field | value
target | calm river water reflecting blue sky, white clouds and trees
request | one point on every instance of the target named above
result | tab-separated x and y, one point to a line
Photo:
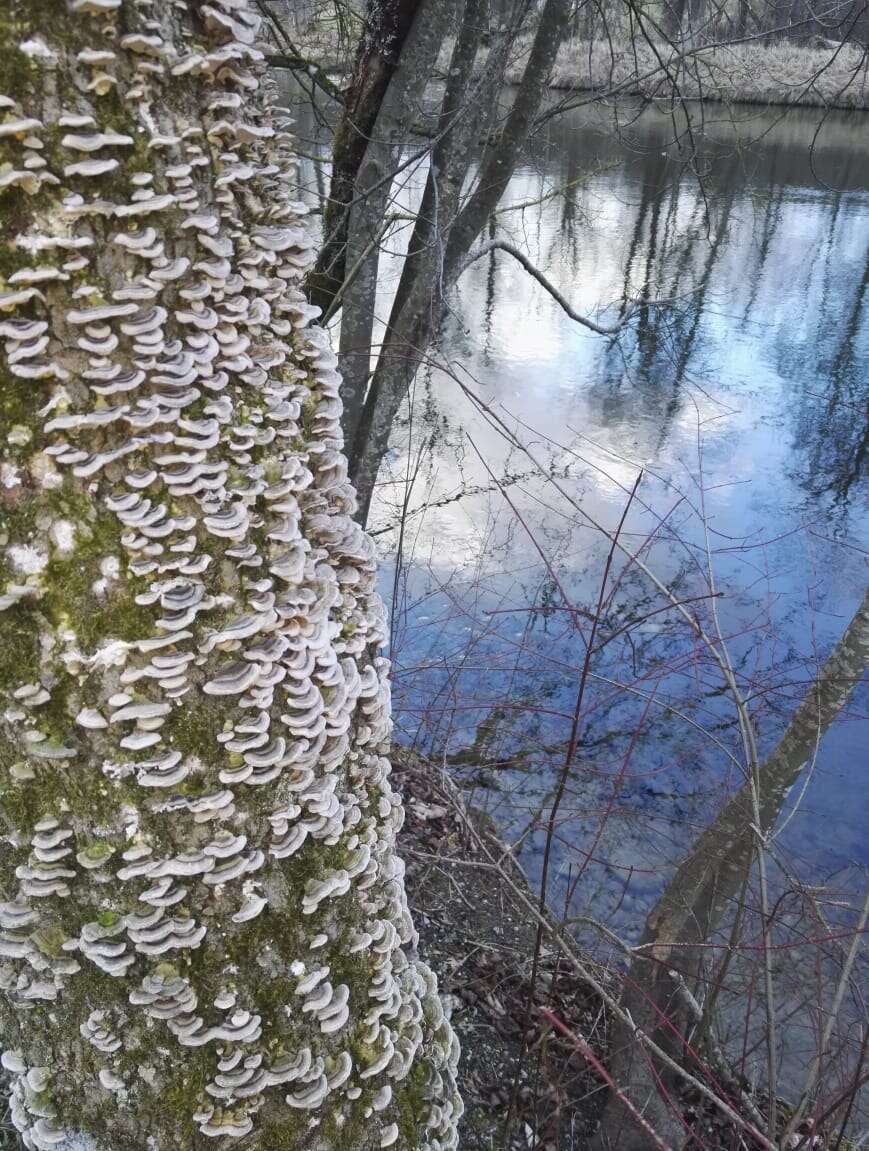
744	401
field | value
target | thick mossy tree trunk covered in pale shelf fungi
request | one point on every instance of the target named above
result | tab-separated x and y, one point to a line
204	934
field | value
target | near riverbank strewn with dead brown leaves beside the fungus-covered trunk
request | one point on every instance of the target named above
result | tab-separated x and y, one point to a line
468	903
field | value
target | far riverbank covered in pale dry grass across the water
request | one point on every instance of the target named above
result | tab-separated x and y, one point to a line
780	74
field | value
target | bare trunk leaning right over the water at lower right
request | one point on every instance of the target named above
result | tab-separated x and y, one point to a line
706	886
